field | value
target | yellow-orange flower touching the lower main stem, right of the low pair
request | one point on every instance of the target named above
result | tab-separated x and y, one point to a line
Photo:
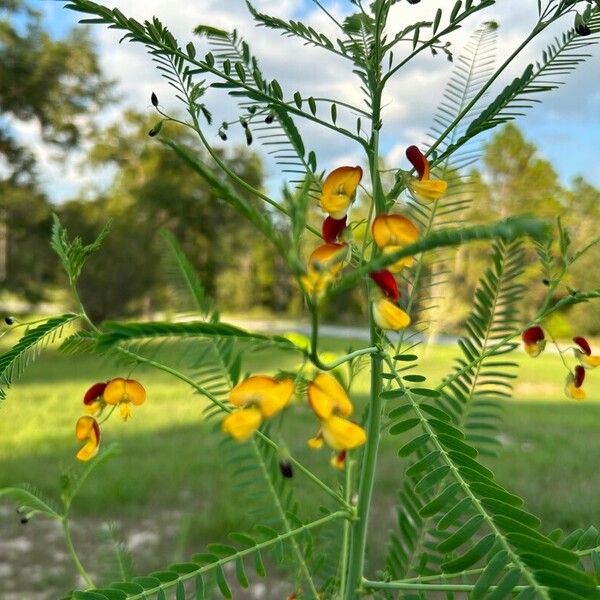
331	404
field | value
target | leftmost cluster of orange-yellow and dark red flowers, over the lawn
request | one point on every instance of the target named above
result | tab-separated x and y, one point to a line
116	392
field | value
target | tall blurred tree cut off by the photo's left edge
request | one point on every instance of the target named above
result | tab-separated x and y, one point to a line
54	84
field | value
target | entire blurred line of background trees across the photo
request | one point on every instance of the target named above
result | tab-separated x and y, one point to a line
57	83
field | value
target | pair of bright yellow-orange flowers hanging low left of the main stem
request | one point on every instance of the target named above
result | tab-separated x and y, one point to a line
261	397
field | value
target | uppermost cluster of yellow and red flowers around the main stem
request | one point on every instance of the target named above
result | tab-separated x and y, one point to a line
391	233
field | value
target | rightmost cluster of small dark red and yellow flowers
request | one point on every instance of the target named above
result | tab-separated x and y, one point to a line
534	343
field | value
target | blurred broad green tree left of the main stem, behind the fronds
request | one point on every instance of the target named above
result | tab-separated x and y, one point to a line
153	190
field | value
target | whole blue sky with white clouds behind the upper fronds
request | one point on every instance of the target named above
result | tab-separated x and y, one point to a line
565	127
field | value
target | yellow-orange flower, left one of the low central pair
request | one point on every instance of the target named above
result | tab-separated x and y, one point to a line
256	398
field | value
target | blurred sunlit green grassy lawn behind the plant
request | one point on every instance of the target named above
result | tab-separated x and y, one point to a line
171	491
